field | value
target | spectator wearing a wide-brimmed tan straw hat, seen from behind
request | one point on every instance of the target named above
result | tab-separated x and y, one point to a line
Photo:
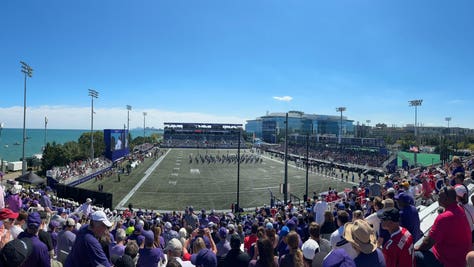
362	238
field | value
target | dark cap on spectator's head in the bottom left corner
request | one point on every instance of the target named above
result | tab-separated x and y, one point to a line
15	252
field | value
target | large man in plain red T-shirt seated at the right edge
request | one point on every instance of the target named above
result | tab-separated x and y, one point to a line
449	239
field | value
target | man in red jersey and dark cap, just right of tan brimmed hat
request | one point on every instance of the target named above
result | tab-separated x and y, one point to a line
398	250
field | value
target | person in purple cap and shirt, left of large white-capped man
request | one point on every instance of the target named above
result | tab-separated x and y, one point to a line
40	255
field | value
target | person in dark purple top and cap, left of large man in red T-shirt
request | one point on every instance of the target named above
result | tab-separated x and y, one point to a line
409	217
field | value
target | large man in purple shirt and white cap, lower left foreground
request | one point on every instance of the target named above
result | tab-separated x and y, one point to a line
87	251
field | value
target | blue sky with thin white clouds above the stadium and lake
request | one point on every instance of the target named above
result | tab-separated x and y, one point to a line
230	61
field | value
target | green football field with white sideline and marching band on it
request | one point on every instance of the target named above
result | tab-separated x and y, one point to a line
171	182
